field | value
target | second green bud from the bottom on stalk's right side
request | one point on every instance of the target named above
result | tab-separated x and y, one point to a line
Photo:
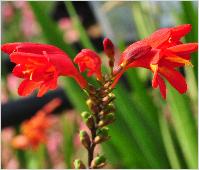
102	135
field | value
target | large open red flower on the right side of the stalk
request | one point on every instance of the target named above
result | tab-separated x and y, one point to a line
167	53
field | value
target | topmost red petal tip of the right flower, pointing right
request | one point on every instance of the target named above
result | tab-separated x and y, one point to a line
180	31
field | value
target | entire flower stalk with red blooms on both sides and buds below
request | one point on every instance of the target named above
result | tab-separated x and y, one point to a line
40	66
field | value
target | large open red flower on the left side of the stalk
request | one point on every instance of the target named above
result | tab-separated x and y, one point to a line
40	65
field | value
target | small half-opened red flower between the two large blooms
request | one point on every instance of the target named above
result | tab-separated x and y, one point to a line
88	59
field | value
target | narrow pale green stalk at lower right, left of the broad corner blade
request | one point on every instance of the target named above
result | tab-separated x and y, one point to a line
169	145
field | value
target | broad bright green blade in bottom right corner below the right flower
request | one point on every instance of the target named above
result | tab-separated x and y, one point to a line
184	125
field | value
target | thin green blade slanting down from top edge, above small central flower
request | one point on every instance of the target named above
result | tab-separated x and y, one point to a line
84	39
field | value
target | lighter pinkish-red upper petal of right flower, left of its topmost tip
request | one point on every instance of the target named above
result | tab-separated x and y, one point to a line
159	37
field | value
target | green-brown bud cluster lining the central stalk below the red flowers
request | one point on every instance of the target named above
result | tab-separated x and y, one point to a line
101	114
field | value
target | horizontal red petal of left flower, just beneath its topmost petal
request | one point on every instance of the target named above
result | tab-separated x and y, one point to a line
27	58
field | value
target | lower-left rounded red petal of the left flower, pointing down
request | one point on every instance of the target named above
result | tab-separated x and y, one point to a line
27	87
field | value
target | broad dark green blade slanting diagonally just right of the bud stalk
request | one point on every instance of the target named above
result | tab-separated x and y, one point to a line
141	132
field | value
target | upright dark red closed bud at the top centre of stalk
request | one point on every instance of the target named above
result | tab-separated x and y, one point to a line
108	48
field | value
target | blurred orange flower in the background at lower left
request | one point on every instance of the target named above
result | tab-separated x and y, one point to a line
34	131
